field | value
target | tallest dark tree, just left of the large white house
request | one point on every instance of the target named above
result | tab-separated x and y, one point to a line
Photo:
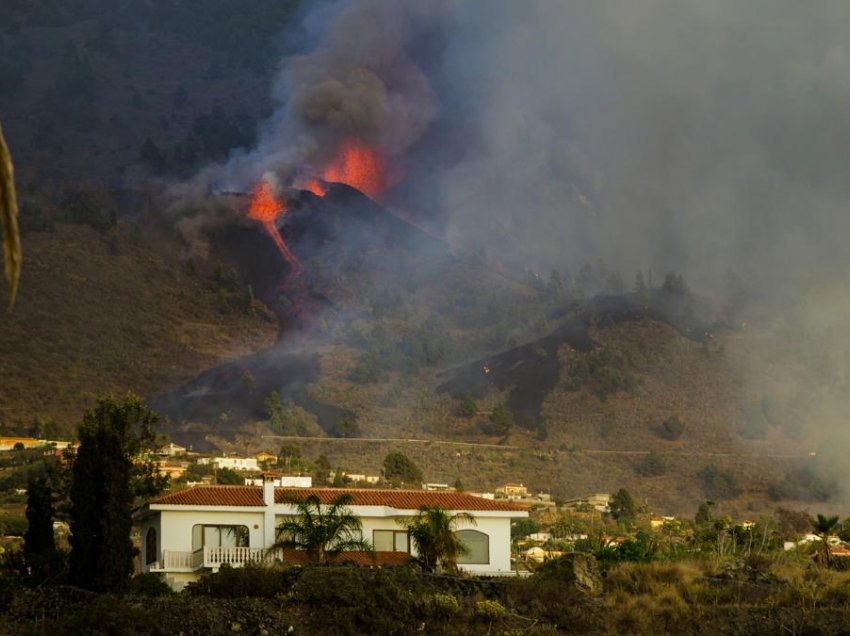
108	474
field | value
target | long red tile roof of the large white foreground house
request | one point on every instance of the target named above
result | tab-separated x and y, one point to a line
400	499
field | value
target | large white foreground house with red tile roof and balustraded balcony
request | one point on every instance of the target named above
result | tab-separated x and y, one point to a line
192	531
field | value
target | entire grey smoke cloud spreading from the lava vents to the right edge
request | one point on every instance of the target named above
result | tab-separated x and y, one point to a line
710	138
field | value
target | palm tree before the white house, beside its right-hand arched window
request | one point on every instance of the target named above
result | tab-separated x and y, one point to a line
432	531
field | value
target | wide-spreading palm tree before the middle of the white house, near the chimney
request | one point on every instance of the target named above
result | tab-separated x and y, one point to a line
323	531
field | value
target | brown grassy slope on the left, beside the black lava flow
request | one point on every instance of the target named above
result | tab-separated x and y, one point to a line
97	315
